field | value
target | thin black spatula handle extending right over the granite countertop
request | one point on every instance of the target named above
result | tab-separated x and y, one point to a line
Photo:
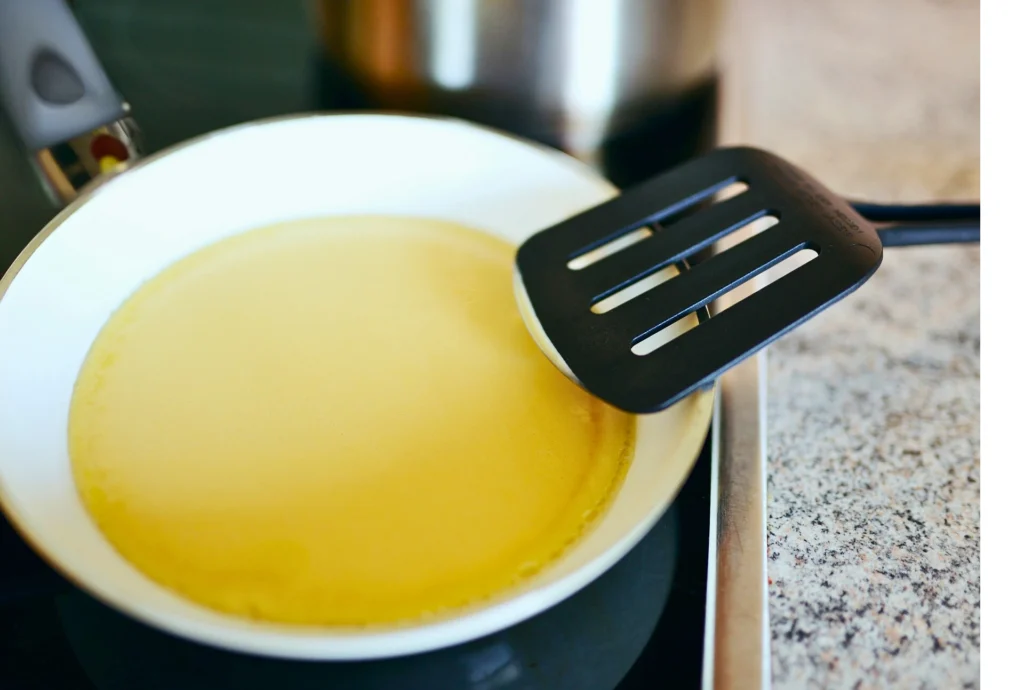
906	226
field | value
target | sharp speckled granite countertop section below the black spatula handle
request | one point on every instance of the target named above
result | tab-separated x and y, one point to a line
874	484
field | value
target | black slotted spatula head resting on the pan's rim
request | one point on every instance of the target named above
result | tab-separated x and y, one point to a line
680	206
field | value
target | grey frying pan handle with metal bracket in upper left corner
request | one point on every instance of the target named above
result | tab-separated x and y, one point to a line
64	109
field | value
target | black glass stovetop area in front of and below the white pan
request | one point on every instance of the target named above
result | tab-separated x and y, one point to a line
639	627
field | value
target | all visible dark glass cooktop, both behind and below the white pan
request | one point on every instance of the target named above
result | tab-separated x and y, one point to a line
189	67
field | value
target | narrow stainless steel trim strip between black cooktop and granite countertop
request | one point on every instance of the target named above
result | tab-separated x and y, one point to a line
742	638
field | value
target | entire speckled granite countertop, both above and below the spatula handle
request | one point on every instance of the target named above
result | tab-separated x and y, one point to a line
874	408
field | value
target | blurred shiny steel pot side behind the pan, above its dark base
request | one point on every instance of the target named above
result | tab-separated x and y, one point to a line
573	73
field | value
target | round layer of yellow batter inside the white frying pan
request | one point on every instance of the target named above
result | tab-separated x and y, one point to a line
338	421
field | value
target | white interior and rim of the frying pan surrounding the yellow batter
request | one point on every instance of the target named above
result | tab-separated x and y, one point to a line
118	234
